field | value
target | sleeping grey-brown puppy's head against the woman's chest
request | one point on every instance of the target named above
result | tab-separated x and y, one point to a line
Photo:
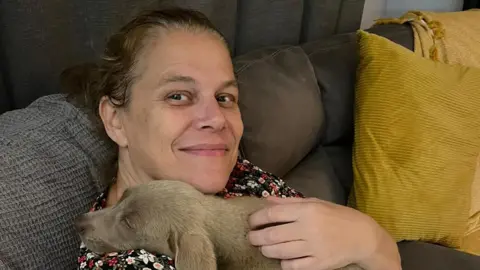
149	216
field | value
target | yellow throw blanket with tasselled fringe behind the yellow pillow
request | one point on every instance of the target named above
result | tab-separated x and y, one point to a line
452	38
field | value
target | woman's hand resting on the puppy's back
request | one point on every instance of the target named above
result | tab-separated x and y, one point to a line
318	235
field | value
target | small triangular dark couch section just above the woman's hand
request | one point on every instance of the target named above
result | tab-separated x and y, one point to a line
314	176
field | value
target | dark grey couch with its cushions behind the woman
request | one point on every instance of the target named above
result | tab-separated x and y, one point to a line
296	61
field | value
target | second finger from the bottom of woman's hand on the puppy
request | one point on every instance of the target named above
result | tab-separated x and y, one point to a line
275	235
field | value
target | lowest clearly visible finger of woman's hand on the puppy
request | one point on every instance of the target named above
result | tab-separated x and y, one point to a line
286	250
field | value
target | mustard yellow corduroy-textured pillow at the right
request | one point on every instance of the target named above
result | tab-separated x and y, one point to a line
417	139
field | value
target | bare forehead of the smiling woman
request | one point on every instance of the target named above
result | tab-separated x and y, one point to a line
187	58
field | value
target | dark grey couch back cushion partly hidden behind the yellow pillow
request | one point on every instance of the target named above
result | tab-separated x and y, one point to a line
334	61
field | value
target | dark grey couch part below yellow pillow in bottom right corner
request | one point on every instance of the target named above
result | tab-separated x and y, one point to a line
424	256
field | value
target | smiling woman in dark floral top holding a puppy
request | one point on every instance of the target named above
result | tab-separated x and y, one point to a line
165	94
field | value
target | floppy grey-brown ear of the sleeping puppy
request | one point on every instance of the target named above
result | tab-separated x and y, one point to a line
194	251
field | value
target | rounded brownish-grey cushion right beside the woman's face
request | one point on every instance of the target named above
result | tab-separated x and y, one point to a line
281	107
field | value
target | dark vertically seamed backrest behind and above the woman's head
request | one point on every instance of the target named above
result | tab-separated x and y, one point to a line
38	39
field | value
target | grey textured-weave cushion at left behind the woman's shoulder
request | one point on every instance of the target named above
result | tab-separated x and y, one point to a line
47	156
